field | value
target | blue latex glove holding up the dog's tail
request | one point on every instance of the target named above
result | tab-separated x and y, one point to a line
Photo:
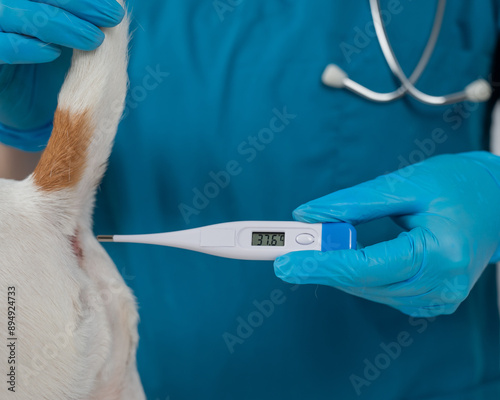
33	34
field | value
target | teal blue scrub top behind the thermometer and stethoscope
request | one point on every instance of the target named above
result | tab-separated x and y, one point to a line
227	120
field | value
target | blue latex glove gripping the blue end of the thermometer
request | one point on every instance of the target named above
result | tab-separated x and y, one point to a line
450	206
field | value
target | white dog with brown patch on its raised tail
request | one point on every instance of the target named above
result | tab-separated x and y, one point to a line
69	322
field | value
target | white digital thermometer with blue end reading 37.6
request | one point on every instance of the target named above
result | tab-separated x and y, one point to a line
251	240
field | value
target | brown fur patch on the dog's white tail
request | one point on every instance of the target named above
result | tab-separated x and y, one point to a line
63	161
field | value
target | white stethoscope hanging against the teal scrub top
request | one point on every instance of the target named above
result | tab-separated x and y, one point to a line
334	76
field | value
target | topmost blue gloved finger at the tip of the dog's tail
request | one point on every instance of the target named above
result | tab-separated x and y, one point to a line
103	13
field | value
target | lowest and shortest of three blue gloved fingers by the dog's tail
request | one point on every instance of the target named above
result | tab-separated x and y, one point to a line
18	49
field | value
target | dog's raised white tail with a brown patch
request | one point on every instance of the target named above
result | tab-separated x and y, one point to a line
89	109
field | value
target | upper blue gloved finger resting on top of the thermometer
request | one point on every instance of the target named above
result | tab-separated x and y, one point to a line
361	203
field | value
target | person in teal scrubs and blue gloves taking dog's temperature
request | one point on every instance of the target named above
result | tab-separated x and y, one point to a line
226	120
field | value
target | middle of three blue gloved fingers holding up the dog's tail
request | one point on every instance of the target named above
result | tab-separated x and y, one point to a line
49	24
